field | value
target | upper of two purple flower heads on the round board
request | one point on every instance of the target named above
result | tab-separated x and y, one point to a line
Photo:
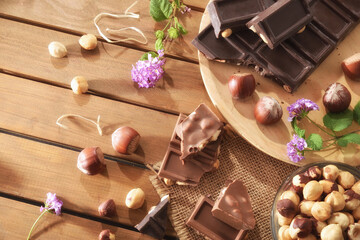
301	108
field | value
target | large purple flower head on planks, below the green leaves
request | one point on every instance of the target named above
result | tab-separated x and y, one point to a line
148	72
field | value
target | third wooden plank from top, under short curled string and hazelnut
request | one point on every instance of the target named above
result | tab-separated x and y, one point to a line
32	108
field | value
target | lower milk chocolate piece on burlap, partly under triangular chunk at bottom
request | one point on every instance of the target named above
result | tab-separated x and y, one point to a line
202	221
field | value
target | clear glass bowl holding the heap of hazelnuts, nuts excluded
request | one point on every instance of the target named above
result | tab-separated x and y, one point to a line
286	184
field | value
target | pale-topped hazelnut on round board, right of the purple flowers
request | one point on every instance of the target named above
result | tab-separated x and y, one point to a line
337	98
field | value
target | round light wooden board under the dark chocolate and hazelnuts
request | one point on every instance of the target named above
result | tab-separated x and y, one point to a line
273	139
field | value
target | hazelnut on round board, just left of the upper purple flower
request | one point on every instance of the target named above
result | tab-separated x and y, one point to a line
268	110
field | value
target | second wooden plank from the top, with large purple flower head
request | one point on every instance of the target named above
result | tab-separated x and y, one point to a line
108	69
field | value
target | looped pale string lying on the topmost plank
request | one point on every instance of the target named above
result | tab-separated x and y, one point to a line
116	31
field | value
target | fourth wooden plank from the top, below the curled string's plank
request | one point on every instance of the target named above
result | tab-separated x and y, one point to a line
30	169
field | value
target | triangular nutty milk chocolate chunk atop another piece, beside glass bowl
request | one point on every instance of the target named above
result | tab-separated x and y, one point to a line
233	207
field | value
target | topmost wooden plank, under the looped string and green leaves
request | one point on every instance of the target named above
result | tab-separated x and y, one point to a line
78	16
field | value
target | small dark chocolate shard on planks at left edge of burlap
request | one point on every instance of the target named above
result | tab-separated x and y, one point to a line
154	223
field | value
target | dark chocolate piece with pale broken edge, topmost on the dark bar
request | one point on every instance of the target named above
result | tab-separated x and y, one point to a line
280	21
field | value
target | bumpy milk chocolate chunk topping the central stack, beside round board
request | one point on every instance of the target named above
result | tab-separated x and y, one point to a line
199	128
